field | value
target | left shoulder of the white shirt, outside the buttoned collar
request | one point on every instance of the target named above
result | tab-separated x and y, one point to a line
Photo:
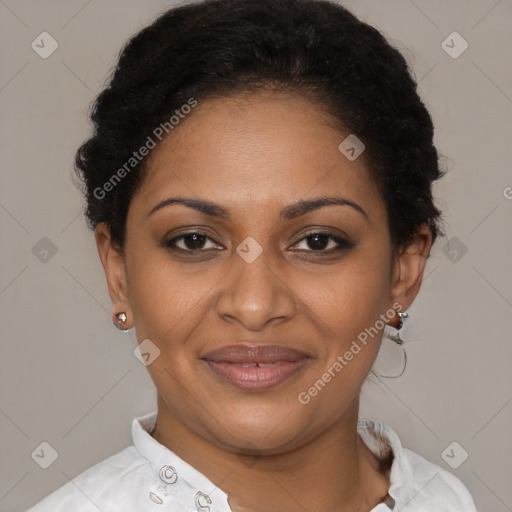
122	475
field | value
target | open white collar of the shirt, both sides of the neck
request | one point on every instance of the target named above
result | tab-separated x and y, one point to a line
175	479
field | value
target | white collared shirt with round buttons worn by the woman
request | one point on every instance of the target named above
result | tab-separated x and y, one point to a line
147	476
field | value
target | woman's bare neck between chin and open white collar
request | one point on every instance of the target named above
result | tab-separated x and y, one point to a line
335	471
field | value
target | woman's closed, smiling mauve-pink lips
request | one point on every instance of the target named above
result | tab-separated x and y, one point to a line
256	367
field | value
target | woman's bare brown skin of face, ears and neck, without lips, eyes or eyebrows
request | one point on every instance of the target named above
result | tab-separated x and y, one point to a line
255	155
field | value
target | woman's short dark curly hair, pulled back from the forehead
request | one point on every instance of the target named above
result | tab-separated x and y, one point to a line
316	48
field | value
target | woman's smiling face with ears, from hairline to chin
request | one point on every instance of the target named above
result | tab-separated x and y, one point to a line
249	258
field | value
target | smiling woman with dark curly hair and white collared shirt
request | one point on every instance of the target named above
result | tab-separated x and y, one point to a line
259	182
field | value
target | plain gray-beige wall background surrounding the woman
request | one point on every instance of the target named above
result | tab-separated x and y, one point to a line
69	378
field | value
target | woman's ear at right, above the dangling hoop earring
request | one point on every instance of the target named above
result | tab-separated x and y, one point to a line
408	268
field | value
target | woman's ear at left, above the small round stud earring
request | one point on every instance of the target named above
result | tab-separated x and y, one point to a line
112	259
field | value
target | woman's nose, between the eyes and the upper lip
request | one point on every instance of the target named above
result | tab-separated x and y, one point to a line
255	294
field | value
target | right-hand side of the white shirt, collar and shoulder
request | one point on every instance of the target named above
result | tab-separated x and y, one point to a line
416	484
